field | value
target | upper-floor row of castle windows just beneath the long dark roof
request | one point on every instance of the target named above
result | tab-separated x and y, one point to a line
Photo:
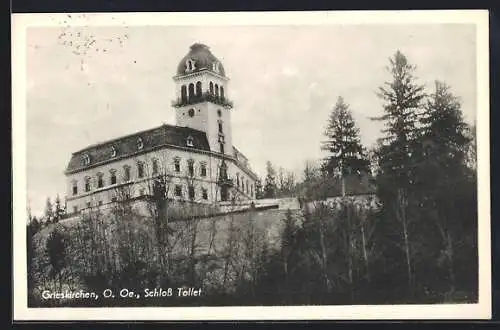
141	172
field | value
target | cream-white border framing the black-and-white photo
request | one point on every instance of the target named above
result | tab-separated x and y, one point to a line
20	23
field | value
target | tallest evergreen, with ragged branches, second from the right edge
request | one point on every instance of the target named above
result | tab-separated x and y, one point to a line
396	154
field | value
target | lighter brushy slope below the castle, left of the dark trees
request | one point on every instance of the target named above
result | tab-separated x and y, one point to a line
103	252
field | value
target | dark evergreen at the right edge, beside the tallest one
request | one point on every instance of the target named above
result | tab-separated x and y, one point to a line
443	177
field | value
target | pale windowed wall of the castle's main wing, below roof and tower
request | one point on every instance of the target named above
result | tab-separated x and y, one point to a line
243	180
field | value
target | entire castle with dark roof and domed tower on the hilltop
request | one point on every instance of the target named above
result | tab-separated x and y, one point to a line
195	159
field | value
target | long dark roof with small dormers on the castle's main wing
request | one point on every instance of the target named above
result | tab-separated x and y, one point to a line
126	146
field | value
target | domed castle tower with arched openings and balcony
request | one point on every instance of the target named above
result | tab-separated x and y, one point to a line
202	99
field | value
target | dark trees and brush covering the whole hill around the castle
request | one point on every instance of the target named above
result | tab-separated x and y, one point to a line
414	241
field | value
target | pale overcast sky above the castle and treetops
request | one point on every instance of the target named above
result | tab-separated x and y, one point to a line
283	82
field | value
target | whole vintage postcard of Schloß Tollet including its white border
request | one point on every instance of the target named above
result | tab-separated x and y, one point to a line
251	166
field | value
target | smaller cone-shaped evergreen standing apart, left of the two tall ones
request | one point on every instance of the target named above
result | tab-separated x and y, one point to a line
347	154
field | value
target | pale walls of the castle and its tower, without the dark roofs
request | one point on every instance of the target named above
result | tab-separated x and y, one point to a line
99	182
